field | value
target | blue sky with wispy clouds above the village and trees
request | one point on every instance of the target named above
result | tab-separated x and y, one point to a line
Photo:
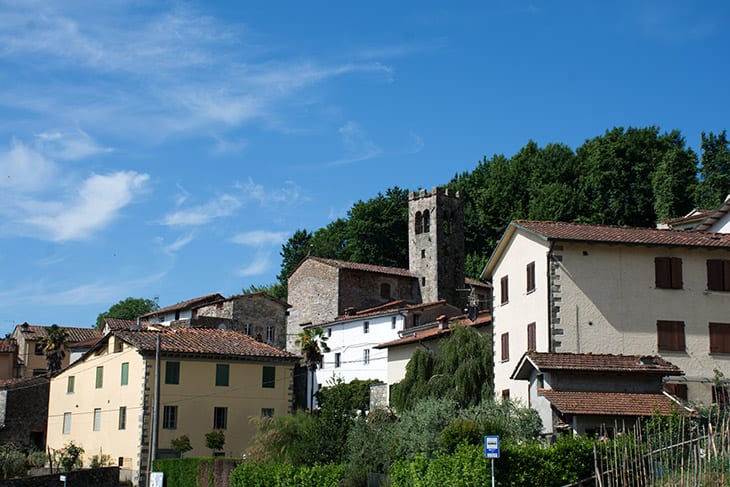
168	149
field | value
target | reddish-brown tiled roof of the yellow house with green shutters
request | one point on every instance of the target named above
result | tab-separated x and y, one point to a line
203	341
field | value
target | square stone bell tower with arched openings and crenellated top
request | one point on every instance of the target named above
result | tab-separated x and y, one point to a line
436	244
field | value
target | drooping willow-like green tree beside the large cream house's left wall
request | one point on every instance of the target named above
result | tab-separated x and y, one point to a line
462	371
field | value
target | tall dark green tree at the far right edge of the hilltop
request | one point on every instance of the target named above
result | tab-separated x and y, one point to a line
714	183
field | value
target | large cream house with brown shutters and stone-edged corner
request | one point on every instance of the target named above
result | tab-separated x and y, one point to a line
563	287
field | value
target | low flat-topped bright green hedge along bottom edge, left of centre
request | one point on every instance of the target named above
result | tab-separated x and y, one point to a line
251	474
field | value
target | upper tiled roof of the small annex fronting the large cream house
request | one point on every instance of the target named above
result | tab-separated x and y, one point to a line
588	362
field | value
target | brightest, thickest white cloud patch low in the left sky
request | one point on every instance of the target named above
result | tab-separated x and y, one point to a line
96	204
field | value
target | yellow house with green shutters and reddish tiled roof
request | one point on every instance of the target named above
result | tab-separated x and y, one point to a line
209	379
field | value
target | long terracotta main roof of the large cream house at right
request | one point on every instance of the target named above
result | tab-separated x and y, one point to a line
626	235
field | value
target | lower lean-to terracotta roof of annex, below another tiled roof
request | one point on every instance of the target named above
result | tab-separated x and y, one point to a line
609	403
